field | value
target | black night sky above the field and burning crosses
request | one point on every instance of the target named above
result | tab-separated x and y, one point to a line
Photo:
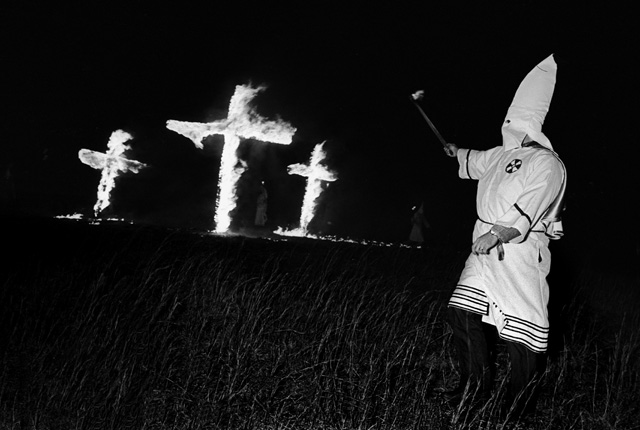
79	71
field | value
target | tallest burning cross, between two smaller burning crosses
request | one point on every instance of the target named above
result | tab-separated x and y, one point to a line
242	122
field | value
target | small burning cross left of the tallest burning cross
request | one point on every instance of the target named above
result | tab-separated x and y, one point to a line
112	163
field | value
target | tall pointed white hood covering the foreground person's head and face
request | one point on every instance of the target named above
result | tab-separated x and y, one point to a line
530	106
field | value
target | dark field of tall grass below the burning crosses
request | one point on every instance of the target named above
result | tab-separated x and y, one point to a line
123	327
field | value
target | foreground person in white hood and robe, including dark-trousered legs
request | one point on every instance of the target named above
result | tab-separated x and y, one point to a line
521	187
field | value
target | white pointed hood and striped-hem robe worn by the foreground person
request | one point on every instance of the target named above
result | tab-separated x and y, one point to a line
520	187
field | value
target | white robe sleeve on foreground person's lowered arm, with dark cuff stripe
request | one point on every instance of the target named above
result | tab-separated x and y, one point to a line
542	186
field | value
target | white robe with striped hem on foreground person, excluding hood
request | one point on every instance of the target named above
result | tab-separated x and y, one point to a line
515	189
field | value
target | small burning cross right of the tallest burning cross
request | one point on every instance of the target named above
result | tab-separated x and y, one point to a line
315	172
